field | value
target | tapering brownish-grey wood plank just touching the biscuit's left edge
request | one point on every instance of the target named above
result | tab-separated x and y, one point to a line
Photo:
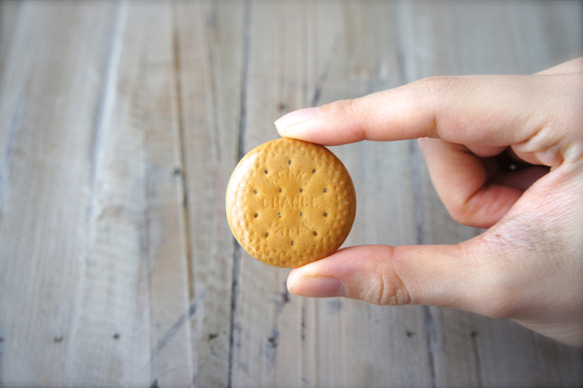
210	48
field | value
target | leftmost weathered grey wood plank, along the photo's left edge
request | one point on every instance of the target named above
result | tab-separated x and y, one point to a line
51	105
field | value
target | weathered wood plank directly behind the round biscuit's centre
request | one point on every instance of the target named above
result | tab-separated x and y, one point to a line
260	345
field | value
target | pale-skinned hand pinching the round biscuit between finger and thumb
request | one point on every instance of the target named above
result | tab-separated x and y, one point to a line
528	265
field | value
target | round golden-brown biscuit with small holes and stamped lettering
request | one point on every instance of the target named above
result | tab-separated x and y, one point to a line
290	202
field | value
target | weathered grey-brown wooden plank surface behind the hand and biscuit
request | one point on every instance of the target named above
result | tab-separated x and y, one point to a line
120	122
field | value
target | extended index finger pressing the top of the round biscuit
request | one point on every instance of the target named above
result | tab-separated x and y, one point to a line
496	110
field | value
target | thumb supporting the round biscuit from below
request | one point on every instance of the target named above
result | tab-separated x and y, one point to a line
439	275
